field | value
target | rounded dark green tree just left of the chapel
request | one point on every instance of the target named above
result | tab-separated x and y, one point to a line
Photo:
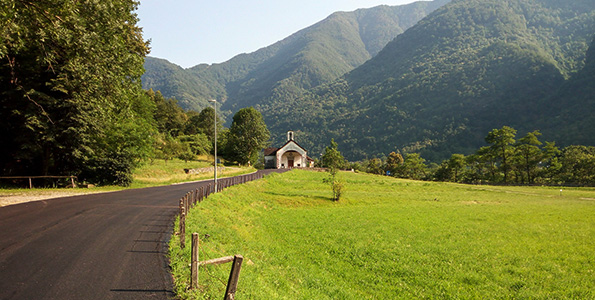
248	135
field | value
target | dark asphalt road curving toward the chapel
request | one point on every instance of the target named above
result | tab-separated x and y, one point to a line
101	246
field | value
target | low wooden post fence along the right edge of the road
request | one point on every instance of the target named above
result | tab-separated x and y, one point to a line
191	199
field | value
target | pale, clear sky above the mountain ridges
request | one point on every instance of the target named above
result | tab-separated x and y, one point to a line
191	32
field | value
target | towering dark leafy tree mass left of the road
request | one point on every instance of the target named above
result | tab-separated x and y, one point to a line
70	89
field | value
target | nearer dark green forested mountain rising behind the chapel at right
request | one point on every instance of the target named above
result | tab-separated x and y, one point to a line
469	67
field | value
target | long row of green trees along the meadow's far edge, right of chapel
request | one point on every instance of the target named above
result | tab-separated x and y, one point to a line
505	160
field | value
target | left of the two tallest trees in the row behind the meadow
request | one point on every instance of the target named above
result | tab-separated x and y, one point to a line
501	141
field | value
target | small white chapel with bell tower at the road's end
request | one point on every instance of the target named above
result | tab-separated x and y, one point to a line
290	155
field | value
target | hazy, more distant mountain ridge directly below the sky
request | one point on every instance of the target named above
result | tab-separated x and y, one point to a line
315	55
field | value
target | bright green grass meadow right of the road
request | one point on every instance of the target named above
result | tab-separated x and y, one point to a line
393	239
